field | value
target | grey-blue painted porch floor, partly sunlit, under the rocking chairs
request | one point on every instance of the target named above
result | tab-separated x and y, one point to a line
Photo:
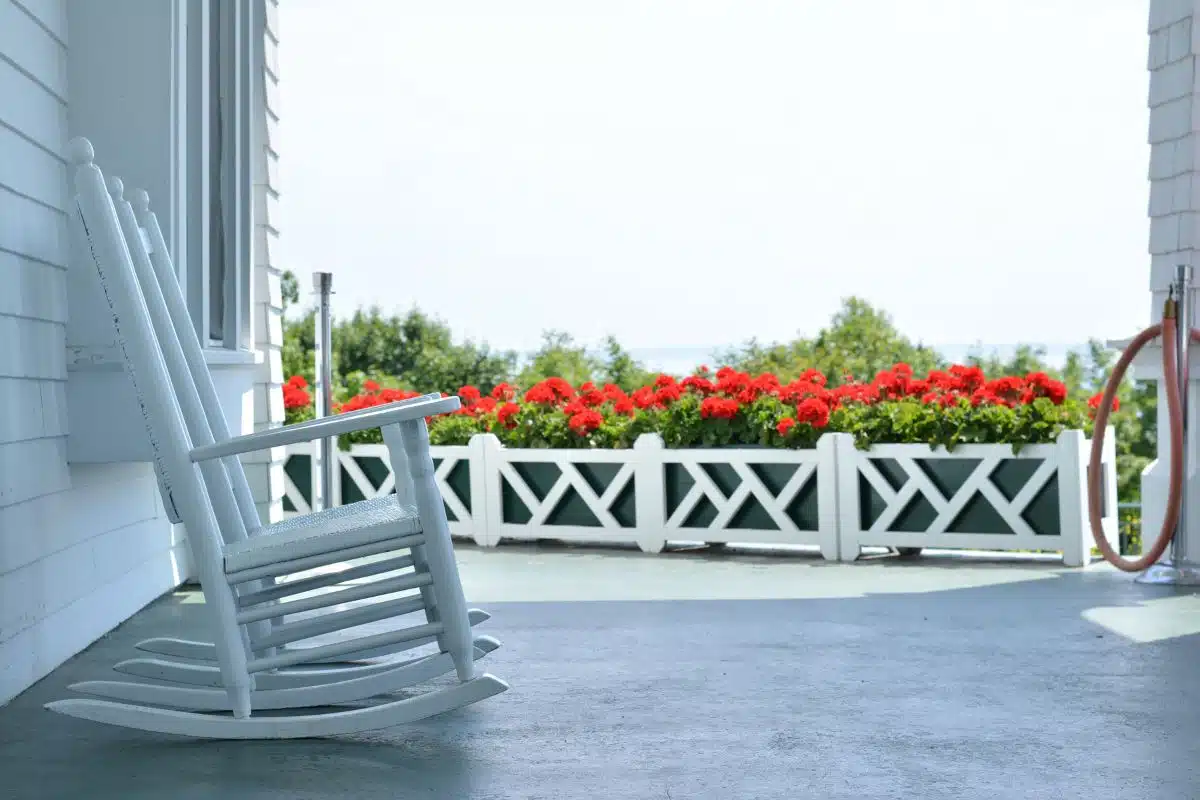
717	676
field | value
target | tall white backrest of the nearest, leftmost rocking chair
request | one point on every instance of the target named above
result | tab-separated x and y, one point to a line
146	364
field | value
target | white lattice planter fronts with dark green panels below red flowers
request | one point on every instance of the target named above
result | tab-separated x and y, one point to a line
835	497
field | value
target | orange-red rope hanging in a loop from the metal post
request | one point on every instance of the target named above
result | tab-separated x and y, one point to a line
1167	329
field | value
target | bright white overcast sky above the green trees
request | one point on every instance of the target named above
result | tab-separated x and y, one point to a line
689	175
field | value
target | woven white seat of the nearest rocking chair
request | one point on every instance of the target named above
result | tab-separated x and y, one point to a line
325	532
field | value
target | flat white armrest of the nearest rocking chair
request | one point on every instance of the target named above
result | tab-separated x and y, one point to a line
327	428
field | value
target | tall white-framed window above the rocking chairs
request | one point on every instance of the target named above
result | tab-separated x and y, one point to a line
218	79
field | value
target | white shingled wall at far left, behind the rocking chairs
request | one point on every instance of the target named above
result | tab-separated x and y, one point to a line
82	549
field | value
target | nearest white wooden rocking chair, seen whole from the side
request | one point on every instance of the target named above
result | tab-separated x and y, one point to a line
205	485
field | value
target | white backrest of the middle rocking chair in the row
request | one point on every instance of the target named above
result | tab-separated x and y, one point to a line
183	380
